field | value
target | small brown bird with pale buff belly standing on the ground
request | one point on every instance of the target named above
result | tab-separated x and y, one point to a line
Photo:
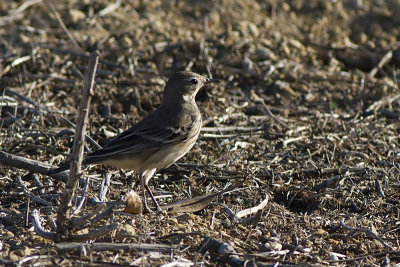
161	138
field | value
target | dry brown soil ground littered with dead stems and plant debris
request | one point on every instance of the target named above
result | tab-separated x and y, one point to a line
306	120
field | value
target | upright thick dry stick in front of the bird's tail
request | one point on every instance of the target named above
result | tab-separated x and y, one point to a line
77	150
